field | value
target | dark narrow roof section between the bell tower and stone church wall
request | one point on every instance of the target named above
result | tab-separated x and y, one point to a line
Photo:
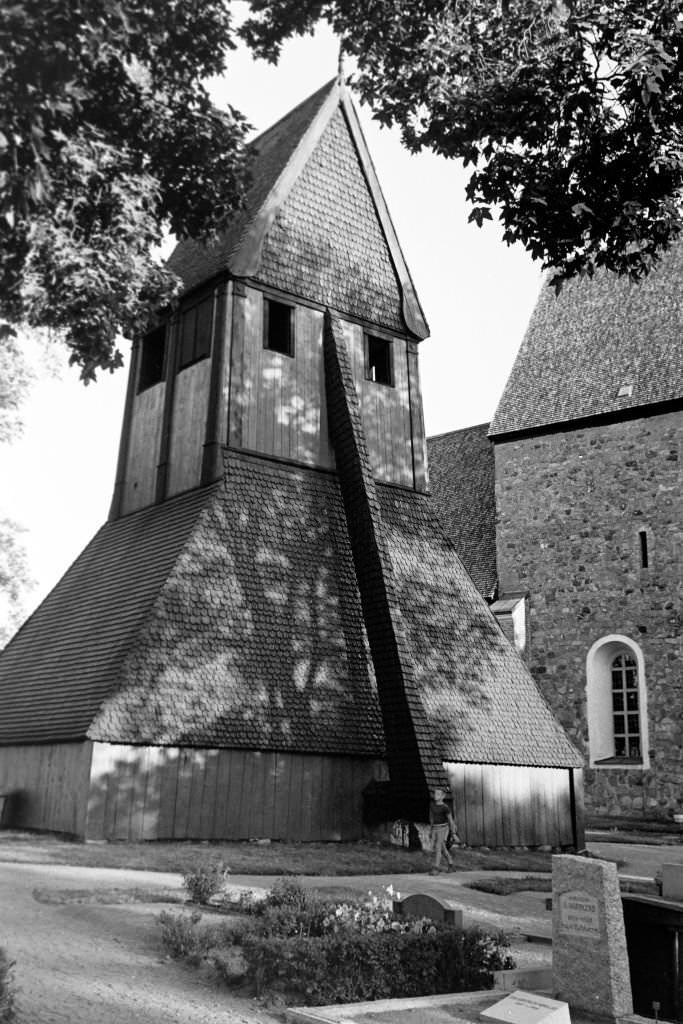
462	482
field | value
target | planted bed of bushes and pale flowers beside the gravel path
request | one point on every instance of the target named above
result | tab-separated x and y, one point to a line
311	951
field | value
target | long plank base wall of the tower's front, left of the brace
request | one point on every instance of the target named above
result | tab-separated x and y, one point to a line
144	793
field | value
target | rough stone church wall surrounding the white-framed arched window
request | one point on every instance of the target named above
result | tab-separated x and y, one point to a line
572	507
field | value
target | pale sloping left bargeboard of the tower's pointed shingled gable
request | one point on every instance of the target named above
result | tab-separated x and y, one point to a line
247	257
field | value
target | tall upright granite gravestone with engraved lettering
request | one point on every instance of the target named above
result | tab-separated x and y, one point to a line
590	960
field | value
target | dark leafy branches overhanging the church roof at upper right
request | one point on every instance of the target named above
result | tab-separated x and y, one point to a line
570	111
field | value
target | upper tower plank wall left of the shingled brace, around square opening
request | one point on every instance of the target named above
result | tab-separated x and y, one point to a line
278	402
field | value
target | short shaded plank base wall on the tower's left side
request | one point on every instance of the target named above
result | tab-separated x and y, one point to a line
49	786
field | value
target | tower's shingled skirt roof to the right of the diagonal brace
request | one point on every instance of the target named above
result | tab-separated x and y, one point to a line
480	700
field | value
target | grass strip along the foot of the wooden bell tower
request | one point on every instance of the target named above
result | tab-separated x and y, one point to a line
255	859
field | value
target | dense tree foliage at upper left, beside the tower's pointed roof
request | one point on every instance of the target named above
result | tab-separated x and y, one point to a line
108	137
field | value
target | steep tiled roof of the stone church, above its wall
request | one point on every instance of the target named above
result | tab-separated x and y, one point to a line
600	335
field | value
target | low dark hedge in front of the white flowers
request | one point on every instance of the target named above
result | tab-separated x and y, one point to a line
349	966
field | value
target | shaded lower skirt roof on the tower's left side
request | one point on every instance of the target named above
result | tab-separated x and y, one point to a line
68	657
